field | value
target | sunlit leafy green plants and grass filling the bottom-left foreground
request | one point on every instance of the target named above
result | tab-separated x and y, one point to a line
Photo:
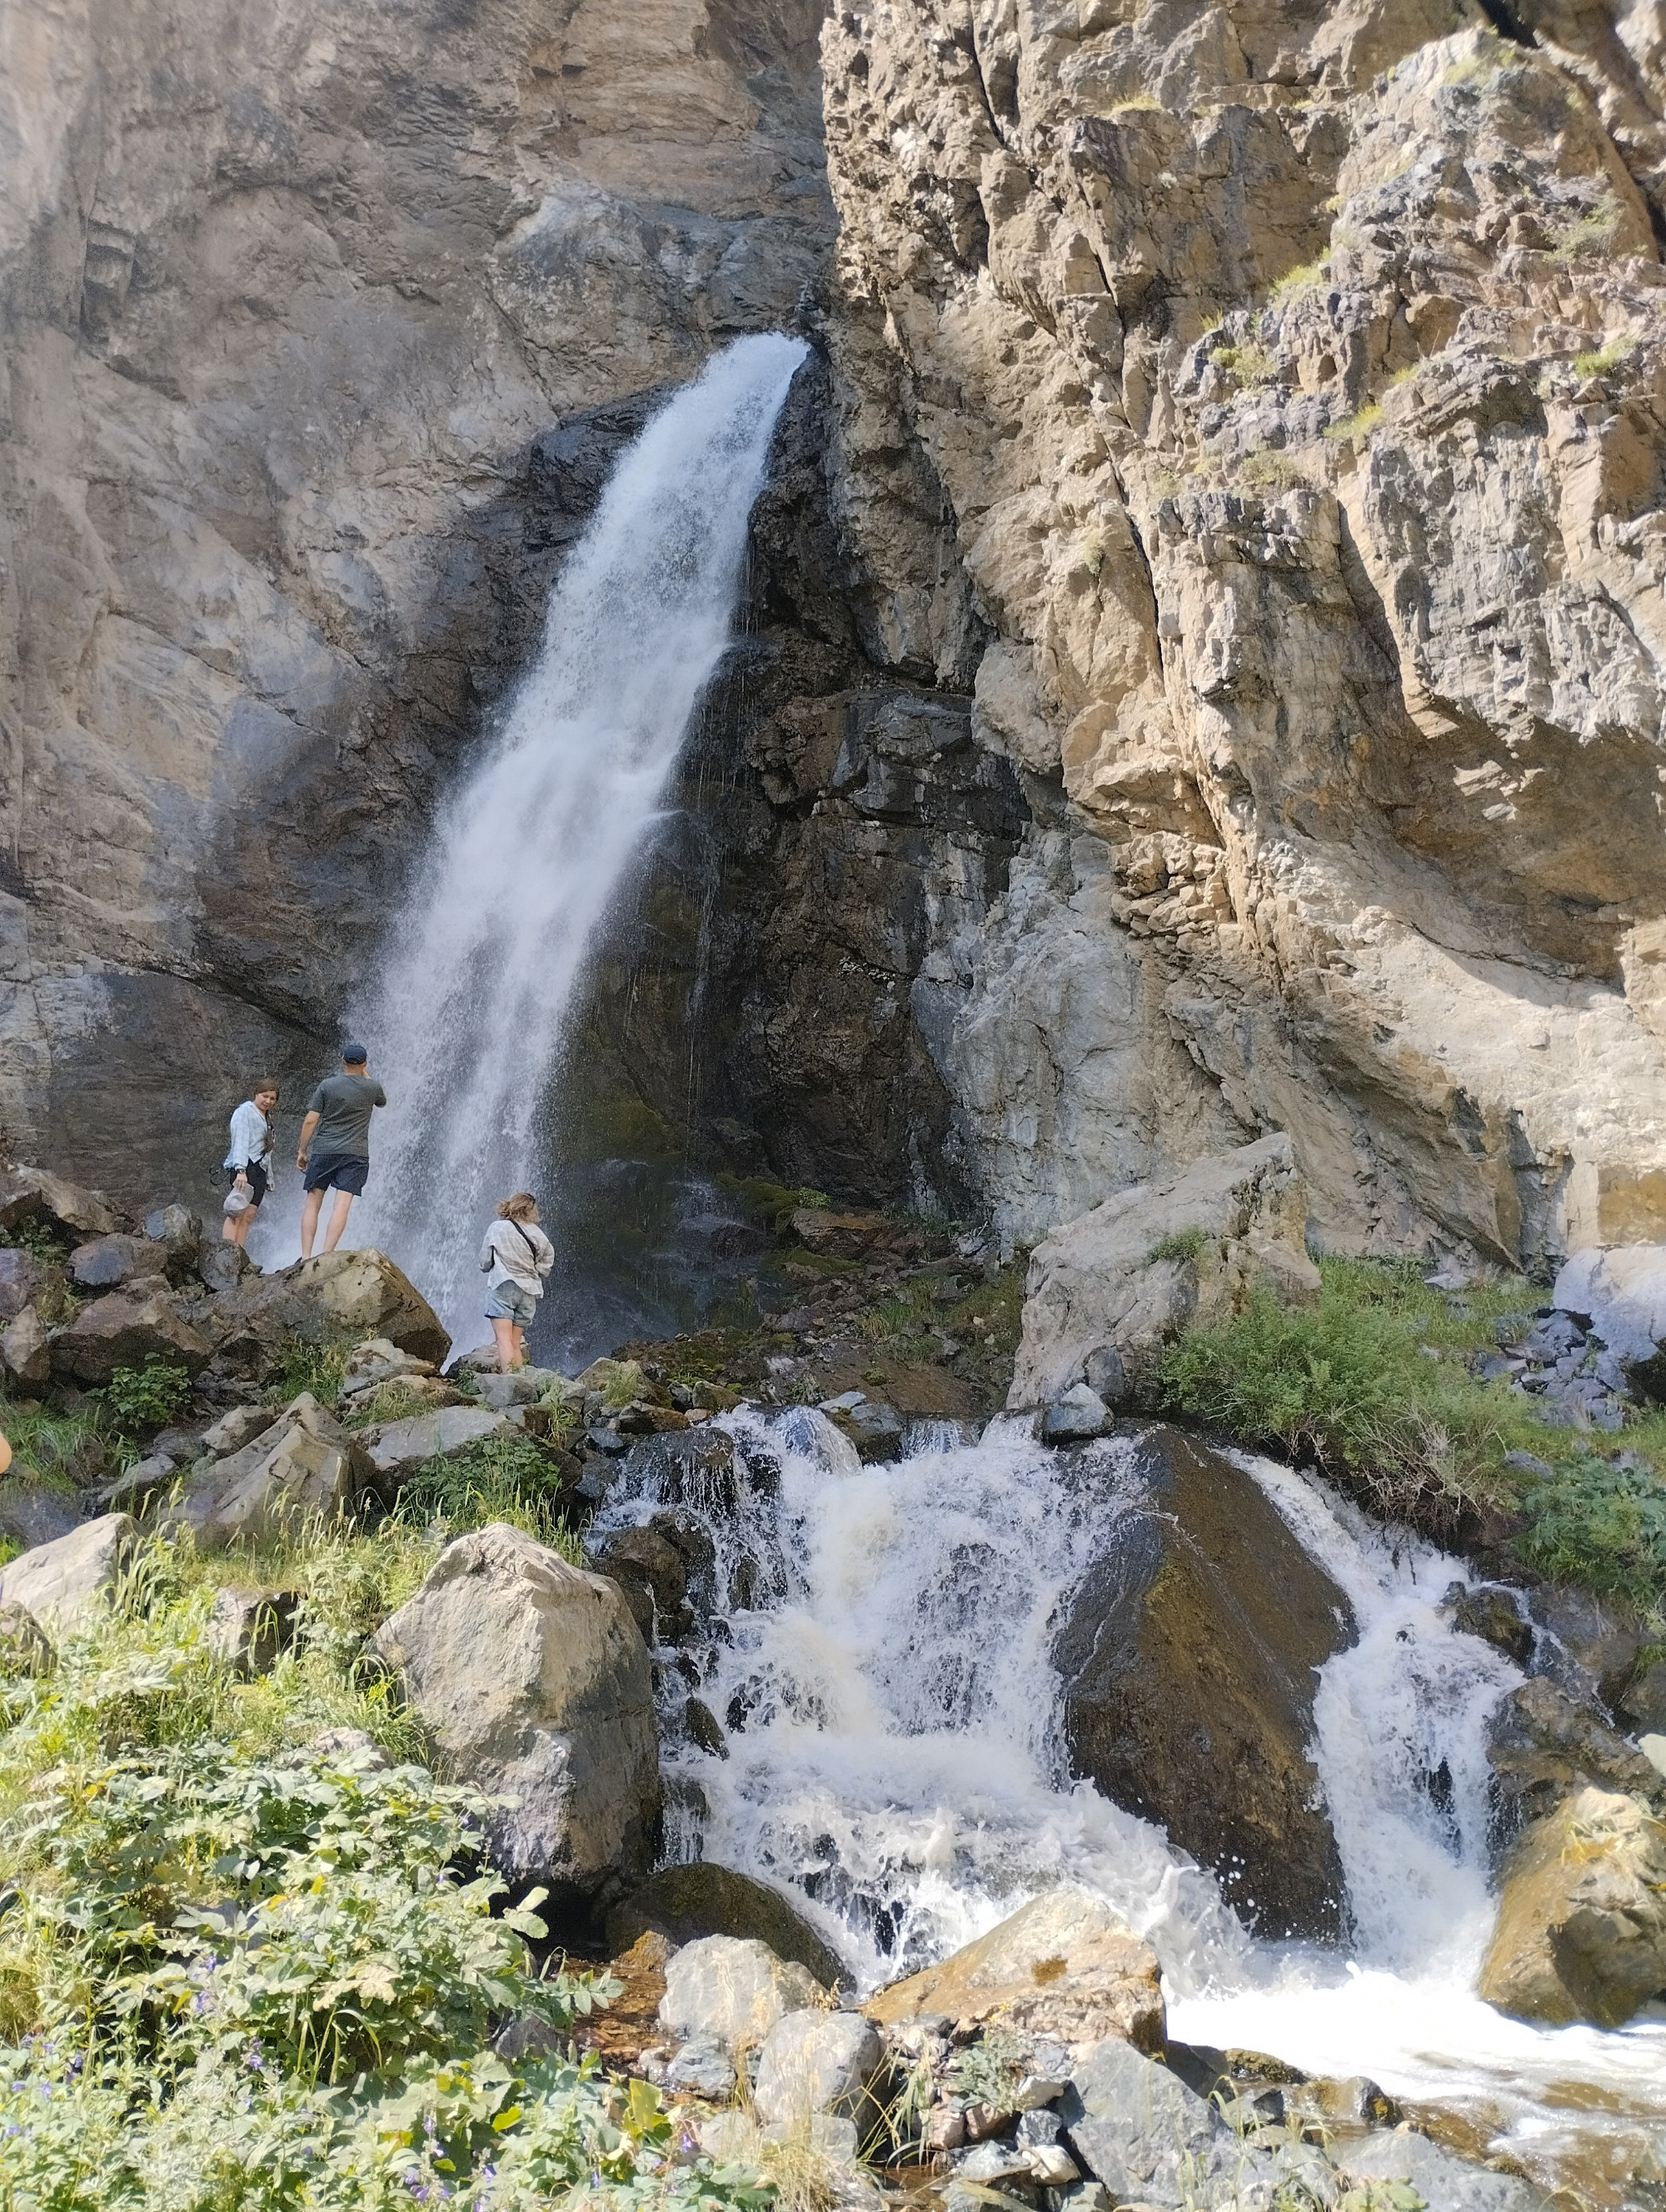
242	1972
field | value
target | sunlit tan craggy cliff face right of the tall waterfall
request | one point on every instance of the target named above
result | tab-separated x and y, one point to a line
1295	379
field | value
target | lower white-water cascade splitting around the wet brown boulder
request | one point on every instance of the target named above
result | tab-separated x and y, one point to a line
897	1762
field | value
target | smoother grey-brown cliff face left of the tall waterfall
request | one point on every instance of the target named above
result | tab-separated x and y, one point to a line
287	295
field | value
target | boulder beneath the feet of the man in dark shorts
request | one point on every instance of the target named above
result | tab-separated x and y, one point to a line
337	1297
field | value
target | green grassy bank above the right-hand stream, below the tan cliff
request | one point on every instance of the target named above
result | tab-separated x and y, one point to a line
1373	1384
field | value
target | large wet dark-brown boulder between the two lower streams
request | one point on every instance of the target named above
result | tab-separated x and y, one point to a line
1189	1665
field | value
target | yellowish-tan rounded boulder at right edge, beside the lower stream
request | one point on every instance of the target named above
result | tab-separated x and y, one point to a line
1583	1914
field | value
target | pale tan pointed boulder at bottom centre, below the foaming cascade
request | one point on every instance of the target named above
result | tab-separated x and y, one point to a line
1063	1968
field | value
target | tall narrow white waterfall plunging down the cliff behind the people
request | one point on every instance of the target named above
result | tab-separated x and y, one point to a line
466	1021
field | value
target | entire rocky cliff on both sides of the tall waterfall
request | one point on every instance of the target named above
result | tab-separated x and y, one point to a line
1227	693
